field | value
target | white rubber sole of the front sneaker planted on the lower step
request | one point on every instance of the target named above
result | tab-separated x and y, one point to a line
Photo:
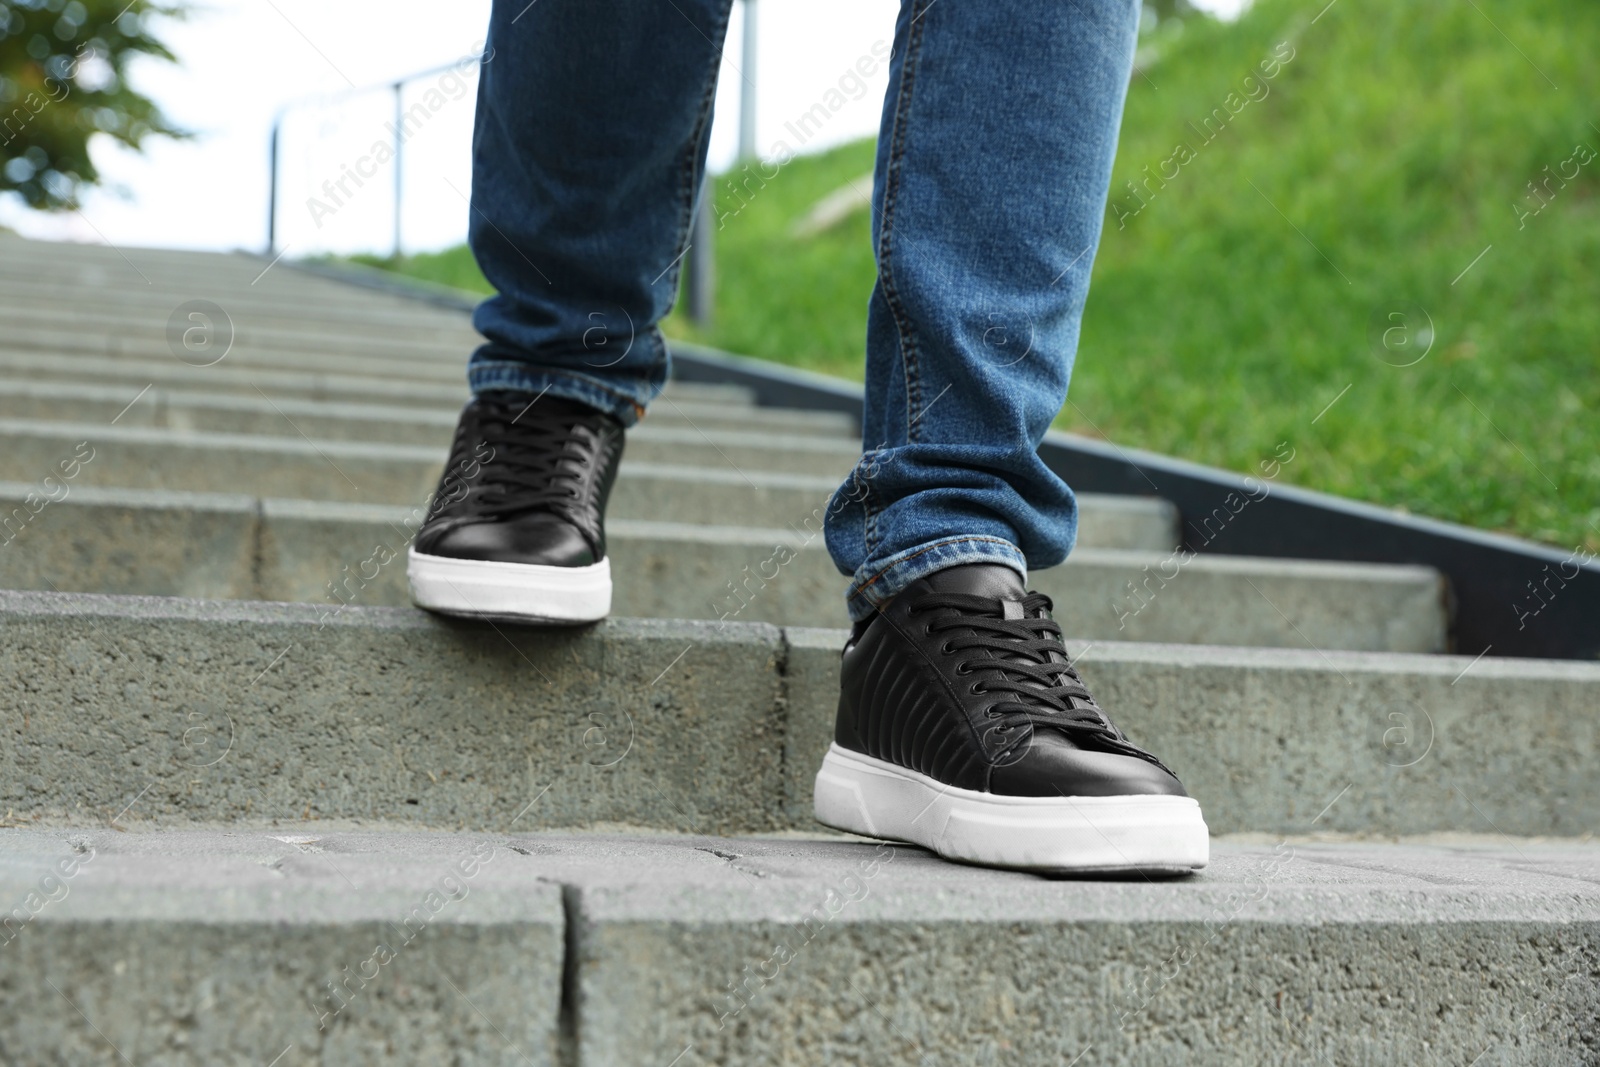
871	797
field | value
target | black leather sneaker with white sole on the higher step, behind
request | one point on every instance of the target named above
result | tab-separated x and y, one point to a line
518	526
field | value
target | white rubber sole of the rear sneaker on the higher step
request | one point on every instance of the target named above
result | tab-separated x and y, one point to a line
521	593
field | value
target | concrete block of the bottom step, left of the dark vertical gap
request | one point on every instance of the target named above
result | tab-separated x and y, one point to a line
254	949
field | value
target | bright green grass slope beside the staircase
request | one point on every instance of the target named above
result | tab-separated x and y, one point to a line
1238	303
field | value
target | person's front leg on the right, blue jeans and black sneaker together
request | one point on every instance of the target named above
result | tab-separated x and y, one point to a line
962	724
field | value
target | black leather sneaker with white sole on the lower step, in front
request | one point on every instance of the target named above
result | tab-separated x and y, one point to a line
964	729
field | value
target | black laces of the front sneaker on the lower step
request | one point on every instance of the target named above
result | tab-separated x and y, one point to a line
1025	663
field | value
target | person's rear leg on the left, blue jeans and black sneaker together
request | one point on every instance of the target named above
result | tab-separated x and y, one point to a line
593	126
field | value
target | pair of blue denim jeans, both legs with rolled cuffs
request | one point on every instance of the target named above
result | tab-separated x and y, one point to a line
994	159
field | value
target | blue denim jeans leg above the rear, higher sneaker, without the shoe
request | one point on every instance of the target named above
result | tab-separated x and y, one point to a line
593	126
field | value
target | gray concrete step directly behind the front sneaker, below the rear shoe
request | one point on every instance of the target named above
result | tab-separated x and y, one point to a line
238	713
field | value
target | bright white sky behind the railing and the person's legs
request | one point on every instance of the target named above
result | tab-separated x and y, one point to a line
244	60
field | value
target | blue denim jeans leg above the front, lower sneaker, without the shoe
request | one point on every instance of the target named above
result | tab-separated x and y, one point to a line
994	161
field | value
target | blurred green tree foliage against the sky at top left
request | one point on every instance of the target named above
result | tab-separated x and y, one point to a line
63	79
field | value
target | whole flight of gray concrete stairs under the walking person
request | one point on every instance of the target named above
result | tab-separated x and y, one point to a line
244	785
